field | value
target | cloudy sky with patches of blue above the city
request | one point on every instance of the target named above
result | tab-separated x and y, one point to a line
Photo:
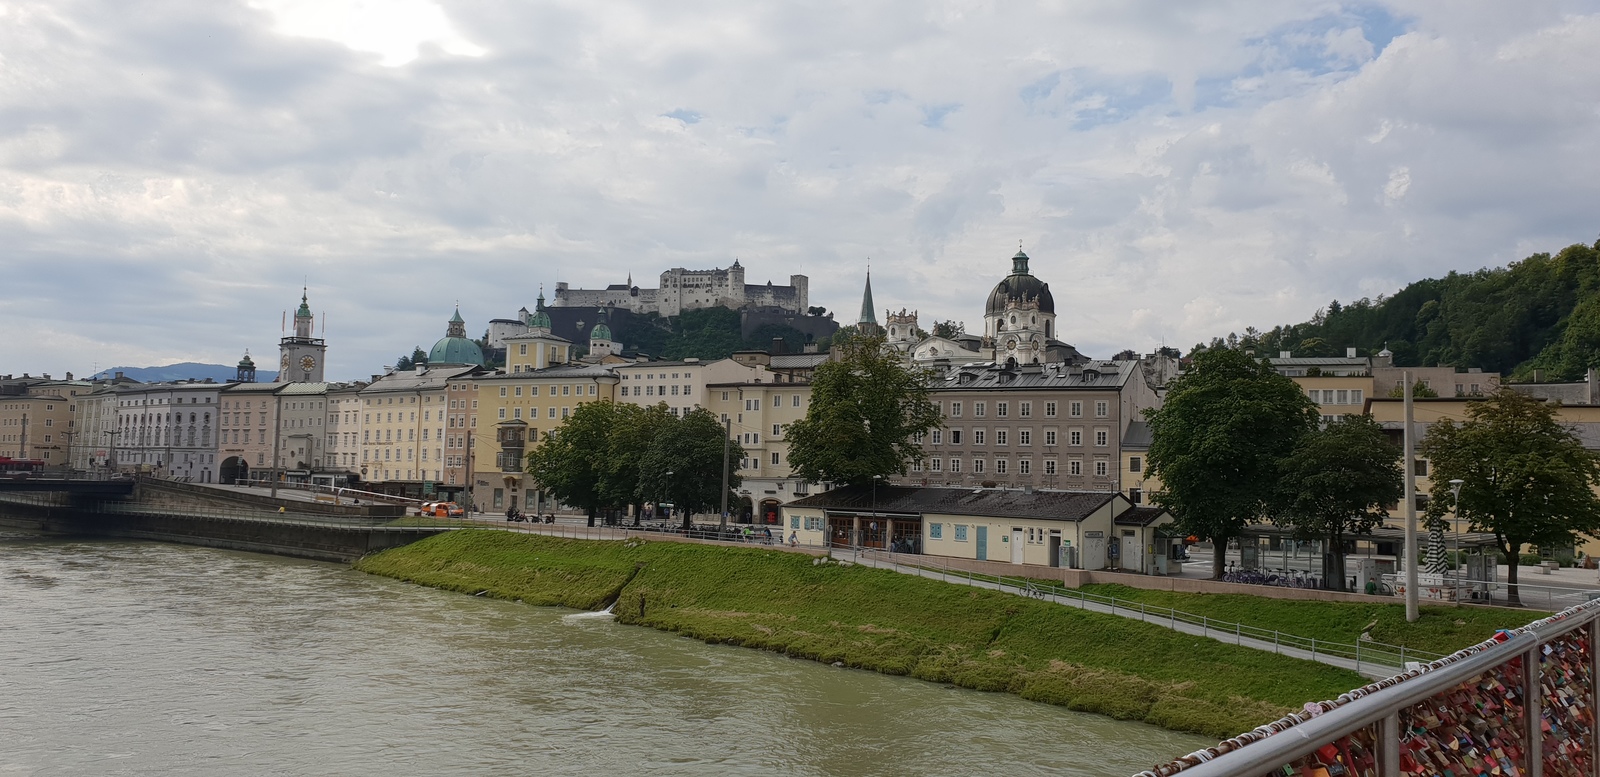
174	172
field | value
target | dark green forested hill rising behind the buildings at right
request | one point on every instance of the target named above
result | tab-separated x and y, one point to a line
1542	313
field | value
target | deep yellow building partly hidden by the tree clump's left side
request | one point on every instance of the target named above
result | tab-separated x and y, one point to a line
511	413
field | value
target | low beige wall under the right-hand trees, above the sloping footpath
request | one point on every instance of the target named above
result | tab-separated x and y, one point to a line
1079	578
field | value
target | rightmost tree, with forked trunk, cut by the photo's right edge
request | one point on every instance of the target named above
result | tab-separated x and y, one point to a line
1526	477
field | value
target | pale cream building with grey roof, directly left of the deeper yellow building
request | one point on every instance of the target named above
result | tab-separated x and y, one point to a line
404	423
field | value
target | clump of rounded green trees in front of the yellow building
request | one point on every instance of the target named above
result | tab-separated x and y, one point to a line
614	456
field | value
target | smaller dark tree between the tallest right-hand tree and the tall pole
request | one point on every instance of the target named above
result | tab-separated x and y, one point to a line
1338	482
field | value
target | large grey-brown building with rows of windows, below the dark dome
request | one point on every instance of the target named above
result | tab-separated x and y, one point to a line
1044	426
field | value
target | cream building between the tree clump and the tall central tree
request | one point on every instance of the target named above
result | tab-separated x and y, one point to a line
758	416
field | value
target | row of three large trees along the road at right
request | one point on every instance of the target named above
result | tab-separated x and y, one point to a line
1238	444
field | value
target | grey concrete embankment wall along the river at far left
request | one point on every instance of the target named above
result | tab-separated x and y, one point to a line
289	538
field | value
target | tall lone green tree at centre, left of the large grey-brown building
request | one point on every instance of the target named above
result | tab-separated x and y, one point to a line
866	416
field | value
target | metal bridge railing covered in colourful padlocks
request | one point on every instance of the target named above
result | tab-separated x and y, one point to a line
1521	704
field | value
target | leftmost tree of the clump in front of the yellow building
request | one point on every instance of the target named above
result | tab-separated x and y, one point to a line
572	460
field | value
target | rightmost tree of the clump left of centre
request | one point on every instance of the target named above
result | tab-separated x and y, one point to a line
684	464
